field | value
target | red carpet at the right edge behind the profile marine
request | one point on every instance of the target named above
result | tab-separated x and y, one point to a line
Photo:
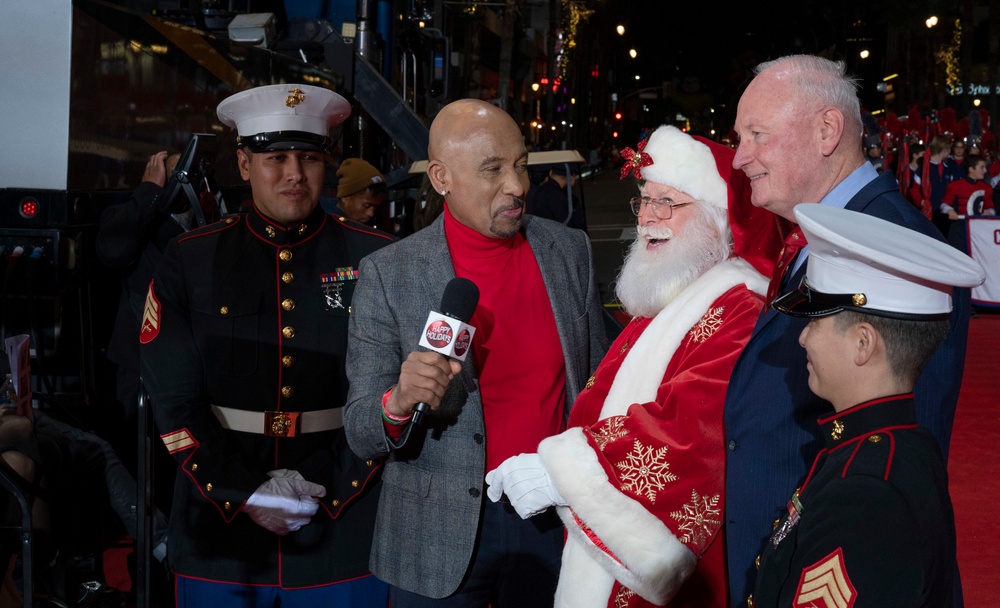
974	464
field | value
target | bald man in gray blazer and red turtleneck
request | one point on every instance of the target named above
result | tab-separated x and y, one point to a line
539	335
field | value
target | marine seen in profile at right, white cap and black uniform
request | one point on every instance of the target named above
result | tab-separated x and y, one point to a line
872	523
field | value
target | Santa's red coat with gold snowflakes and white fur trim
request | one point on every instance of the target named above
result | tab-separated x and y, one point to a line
642	467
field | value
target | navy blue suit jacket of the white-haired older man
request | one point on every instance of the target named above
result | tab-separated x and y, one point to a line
770	415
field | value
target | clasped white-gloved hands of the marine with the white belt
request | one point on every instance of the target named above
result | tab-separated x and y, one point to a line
284	503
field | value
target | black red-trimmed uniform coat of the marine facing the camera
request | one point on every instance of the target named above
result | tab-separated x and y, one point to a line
248	314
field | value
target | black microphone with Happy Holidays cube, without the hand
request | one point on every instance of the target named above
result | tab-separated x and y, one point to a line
448	332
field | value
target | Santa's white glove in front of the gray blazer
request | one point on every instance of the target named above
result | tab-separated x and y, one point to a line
526	483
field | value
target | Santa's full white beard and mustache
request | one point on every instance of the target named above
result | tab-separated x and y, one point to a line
649	280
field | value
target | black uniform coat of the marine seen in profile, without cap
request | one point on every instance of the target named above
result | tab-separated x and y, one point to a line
875	523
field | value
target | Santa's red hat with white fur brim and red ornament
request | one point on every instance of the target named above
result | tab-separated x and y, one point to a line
673	158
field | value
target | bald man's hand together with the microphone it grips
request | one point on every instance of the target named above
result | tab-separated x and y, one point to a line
425	375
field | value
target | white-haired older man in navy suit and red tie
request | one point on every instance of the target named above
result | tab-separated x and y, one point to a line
799	125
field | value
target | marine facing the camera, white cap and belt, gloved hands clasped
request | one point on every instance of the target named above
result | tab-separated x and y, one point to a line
244	337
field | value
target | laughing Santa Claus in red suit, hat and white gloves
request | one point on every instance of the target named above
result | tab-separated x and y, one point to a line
638	478
